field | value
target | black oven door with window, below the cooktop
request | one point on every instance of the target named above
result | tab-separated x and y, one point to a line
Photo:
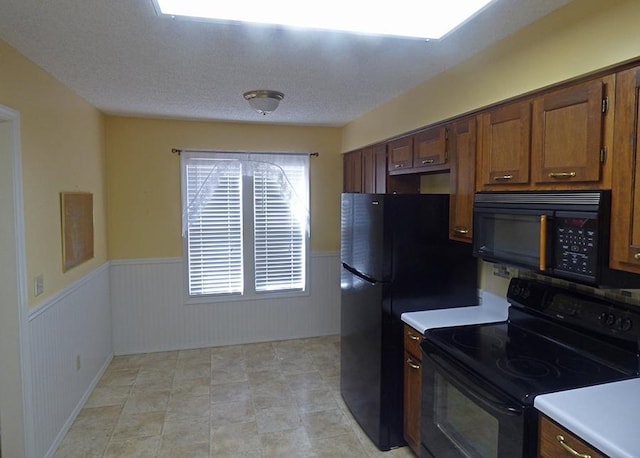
464	416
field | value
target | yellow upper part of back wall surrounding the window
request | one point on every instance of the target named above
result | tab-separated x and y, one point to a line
144	177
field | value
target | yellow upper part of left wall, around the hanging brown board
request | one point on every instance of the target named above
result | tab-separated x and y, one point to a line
62	150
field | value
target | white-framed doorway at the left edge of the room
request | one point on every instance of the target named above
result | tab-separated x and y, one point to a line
13	299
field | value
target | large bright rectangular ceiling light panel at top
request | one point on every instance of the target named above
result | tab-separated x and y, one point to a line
427	19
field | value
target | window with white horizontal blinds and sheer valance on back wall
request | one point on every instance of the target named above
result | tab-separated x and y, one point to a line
245	222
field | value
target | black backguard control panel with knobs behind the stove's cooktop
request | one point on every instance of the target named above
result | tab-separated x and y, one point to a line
587	312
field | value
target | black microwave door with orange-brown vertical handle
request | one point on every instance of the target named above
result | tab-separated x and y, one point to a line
512	236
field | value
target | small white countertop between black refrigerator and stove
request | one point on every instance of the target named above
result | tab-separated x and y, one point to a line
492	309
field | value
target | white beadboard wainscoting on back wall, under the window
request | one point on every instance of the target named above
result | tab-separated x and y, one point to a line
149	313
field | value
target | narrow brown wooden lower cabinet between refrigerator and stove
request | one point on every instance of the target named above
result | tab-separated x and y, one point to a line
412	388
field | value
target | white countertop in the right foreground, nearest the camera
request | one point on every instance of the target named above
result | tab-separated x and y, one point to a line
606	416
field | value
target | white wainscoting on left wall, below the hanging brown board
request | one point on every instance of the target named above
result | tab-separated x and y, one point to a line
75	322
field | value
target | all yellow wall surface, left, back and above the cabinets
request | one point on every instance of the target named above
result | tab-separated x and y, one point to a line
63	139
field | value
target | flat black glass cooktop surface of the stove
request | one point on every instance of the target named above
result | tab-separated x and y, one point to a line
521	362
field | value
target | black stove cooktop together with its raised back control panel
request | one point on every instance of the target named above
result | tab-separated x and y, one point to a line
554	339
